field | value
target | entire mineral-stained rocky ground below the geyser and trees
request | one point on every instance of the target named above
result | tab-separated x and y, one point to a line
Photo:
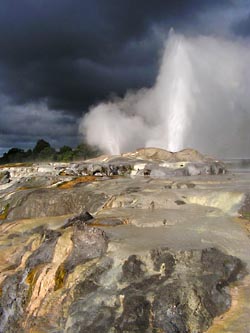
150	241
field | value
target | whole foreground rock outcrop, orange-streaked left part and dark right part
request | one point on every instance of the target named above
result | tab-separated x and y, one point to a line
65	286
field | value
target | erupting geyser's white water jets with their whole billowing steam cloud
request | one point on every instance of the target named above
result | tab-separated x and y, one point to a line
200	99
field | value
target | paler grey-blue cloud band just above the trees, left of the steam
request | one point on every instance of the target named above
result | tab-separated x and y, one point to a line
27	123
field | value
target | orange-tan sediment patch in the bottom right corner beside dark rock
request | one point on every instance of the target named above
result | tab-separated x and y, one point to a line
236	319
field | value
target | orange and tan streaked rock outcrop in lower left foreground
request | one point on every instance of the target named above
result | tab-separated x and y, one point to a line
29	295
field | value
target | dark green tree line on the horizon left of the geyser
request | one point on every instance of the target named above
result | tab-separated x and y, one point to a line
44	152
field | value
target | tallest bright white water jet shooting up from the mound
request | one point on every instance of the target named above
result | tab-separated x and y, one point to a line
173	91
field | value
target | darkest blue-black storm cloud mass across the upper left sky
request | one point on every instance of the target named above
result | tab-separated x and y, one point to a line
42	42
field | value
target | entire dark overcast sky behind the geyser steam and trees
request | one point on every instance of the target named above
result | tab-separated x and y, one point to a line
57	58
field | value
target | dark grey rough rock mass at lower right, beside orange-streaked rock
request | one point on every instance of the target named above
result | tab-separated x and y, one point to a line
186	292
